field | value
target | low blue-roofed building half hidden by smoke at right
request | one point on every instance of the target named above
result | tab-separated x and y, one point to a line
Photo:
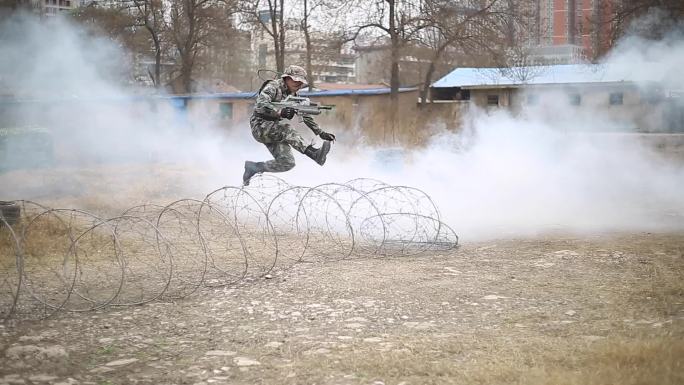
634	99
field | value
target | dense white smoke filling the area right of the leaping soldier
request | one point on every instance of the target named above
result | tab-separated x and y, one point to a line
552	168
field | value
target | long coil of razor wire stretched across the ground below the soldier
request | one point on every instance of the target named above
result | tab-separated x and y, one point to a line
56	259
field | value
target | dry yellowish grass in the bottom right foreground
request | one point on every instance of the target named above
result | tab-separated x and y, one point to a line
585	355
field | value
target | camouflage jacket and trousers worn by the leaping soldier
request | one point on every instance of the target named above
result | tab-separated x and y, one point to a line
276	135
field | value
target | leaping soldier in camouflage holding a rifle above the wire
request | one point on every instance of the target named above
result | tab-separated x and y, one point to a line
278	136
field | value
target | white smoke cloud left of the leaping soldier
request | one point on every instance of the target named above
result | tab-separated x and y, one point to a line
59	76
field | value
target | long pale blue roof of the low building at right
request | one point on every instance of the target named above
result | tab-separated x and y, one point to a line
551	74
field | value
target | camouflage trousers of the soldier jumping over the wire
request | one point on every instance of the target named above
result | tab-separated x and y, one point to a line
279	138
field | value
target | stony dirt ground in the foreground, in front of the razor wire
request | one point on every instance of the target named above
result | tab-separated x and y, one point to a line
556	309
